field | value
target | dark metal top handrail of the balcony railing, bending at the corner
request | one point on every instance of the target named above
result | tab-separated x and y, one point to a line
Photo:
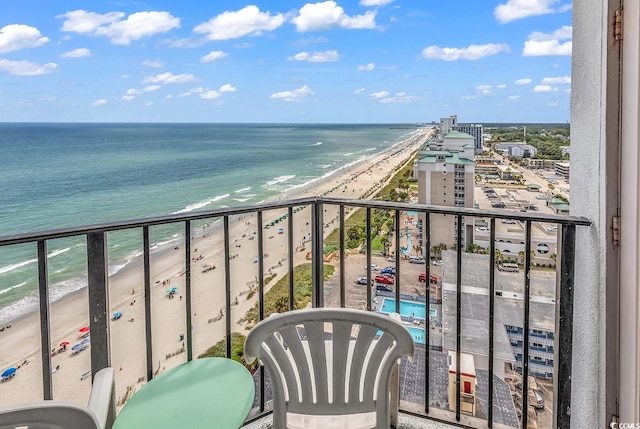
194	216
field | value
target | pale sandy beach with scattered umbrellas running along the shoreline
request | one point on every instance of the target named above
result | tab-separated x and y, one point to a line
20	344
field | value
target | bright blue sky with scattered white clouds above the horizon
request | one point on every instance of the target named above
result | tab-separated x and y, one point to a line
372	61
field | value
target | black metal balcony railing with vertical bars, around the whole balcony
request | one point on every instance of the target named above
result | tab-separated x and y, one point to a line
321	215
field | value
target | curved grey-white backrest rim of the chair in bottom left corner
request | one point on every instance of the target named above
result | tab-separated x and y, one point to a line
47	415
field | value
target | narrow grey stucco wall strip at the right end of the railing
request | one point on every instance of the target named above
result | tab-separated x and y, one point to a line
588	199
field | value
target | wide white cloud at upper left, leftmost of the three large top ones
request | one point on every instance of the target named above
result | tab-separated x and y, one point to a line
119	30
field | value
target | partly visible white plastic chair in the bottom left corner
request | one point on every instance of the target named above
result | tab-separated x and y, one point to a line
99	413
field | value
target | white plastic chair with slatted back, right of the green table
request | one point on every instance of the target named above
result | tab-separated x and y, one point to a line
329	367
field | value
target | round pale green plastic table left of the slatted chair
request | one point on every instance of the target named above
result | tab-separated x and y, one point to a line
203	393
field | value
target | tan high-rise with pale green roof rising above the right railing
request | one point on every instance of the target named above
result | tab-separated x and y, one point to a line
445	172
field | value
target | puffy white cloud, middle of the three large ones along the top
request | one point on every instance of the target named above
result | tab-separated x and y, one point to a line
232	25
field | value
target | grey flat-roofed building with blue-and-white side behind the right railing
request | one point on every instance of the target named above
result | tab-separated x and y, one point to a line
508	315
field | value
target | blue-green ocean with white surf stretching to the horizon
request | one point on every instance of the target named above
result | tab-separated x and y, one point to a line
63	175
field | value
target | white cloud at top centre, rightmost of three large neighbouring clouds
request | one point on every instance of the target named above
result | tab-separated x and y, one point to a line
327	14
